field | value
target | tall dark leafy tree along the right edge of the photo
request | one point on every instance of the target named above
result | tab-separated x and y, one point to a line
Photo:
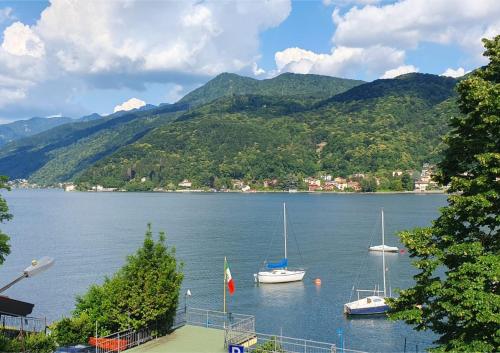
457	291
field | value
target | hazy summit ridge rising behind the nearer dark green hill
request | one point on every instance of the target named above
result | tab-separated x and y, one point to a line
287	84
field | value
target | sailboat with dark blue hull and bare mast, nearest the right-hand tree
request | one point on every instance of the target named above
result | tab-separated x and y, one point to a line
375	303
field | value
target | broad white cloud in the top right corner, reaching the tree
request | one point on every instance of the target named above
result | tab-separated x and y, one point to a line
407	23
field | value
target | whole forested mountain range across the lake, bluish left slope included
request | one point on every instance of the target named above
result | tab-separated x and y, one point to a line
217	136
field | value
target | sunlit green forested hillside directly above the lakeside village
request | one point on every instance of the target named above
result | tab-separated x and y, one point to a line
376	127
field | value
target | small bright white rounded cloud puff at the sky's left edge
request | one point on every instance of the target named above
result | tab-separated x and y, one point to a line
20	40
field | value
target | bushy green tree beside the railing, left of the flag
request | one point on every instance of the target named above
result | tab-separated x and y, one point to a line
143	293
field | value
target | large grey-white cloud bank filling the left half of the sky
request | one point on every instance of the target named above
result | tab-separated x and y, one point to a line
129	45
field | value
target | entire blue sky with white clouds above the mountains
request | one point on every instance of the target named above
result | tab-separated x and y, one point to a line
76	57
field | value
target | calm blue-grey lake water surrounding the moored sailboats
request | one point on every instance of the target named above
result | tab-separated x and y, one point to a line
90	235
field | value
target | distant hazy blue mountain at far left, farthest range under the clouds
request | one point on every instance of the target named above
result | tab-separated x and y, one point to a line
23	128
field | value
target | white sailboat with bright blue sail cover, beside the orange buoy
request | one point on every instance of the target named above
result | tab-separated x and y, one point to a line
279	272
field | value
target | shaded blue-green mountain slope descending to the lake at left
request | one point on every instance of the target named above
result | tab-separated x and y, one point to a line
59	154
